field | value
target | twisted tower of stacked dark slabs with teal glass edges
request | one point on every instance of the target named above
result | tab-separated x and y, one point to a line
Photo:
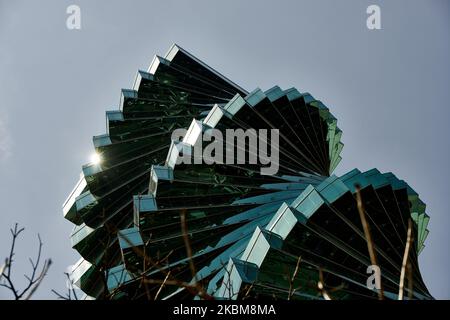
147	227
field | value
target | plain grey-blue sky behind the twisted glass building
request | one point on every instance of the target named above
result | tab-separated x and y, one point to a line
388	88
